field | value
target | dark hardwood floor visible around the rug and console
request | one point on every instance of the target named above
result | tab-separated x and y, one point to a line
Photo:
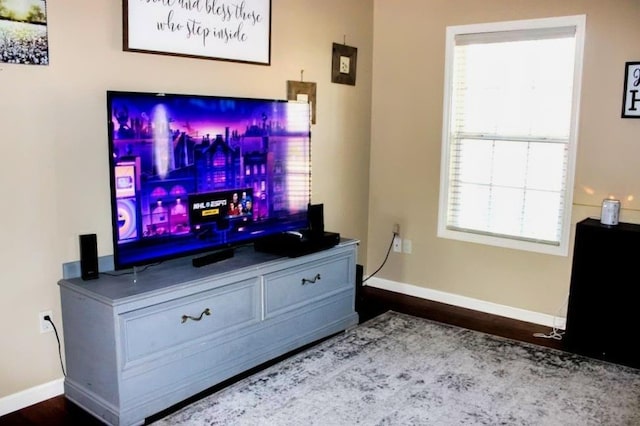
369	303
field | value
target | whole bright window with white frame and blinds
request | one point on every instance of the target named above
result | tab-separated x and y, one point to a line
510	132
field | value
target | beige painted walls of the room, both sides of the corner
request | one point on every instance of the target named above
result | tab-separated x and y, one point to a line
54	145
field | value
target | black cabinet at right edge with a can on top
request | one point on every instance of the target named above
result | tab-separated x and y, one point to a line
603	315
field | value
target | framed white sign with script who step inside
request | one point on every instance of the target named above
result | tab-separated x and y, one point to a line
230	31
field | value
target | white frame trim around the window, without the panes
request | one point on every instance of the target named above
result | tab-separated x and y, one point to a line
562	248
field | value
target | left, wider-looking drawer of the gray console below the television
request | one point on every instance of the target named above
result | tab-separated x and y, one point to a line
210	313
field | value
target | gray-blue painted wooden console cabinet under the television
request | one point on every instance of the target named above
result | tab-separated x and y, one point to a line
137	345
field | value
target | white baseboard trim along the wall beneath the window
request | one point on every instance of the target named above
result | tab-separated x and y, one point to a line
468	303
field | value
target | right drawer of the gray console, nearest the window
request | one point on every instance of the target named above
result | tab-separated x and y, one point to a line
295	287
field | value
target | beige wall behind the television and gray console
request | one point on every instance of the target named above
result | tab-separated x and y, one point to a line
54	145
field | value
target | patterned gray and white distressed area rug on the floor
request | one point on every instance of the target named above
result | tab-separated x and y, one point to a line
401	370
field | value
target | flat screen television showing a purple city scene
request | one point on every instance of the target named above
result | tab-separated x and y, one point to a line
194	173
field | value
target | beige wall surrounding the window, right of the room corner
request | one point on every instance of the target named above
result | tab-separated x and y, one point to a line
408	66
